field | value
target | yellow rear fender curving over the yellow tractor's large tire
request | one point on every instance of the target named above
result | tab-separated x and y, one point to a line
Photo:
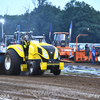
18	49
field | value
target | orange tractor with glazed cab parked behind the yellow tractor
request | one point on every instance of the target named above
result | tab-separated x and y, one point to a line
61	41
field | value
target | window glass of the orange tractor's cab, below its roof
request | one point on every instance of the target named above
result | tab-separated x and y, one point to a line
61	39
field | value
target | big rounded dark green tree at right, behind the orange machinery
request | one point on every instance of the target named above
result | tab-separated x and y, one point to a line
82	16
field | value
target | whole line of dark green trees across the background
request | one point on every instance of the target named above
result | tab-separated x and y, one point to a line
82	15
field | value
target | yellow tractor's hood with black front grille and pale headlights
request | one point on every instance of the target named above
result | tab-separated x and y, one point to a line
46	50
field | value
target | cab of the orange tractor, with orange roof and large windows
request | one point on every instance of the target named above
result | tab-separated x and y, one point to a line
61	39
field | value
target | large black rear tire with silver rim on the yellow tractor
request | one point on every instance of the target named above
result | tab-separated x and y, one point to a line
12	62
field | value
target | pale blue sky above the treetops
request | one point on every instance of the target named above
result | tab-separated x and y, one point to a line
18	7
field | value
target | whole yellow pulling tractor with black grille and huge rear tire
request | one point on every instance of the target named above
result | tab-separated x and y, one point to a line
41	57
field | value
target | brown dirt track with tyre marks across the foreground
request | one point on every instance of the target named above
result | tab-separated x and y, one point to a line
50	87
